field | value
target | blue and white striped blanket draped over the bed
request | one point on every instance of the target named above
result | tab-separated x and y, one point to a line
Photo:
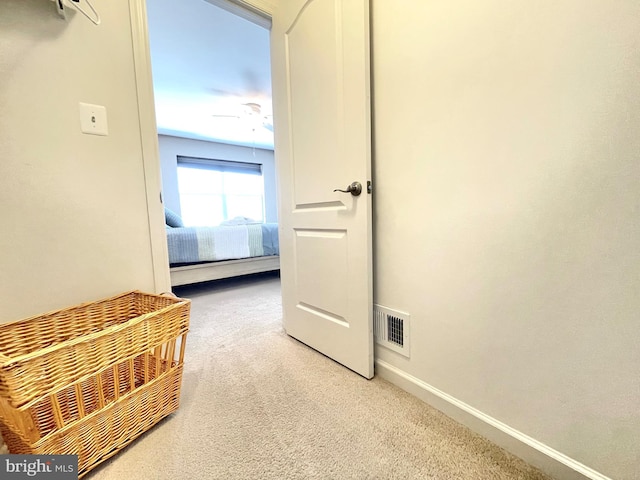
209	244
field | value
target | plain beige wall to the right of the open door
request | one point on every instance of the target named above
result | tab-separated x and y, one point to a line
507	212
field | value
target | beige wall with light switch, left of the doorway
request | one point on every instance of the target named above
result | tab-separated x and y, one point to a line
74	206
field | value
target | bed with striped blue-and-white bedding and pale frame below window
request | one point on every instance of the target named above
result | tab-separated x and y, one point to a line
199	254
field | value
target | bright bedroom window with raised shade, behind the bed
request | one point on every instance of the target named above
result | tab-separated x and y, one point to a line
212	191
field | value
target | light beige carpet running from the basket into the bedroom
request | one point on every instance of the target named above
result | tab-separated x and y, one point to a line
257	404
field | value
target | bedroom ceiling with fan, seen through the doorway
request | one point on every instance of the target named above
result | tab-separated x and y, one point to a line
208	64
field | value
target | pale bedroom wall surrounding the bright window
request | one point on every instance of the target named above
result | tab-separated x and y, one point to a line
171	147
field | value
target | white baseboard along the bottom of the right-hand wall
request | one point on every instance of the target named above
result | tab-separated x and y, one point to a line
529	449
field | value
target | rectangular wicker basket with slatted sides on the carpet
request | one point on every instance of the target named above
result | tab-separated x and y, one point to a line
89	379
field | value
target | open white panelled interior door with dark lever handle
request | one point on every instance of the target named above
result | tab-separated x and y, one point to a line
321	91
